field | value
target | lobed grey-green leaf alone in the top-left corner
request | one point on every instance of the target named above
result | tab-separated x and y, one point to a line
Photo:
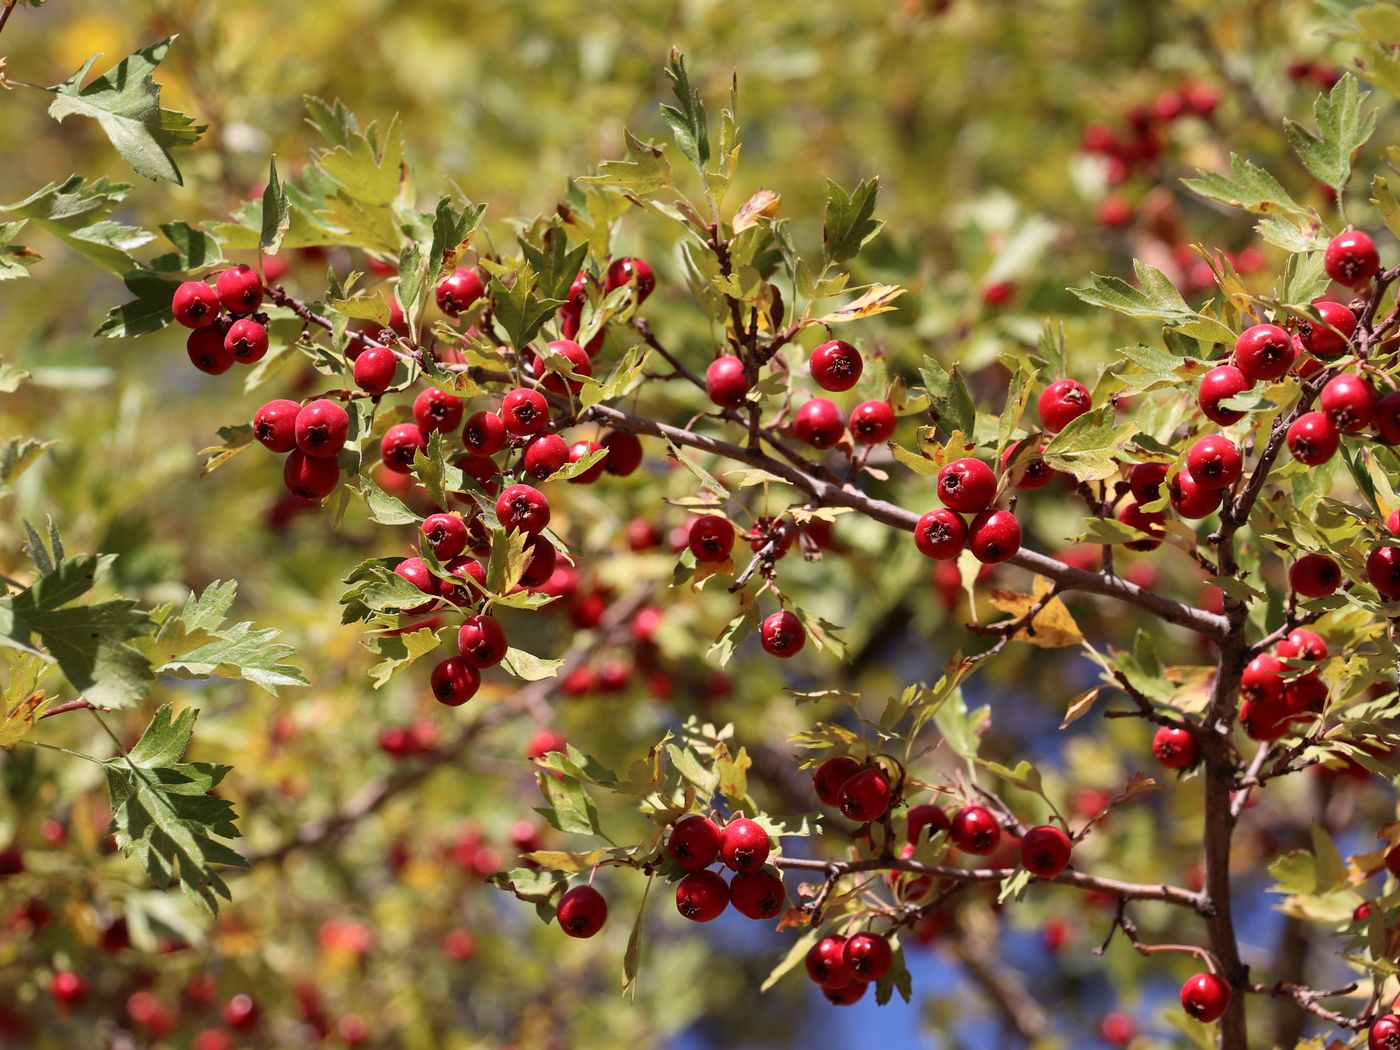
127	103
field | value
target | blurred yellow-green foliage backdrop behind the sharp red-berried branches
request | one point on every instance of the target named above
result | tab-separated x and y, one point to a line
971	114
